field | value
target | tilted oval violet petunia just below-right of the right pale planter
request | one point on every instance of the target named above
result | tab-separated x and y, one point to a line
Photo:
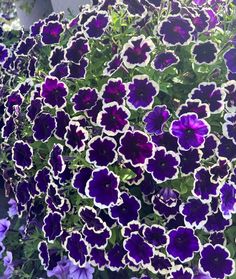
96	25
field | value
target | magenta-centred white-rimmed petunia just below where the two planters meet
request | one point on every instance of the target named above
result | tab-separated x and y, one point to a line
51	32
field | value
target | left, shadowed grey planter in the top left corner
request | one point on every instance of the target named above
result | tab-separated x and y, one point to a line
30	11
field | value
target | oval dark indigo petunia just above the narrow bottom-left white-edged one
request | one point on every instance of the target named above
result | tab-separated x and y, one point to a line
52	226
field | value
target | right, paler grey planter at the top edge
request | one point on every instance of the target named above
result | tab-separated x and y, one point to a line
69	6
